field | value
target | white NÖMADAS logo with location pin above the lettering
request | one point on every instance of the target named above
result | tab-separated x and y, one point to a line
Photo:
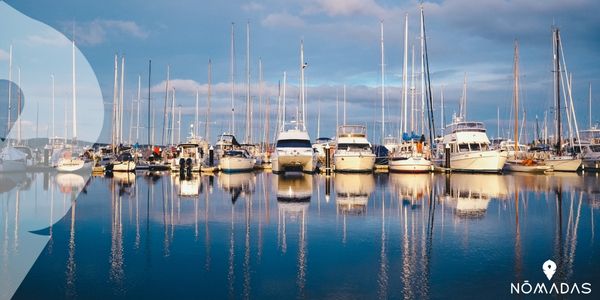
553	288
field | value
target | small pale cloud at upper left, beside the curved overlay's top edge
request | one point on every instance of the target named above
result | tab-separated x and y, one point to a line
99	30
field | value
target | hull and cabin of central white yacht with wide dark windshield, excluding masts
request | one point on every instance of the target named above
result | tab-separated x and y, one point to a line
293	152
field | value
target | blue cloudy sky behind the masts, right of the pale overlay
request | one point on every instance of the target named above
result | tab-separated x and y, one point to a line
342	47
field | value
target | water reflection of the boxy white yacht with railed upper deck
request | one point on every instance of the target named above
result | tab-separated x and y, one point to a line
352	192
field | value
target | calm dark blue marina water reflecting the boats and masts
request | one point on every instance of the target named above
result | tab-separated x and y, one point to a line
260	235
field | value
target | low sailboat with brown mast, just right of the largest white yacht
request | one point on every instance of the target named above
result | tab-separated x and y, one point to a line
519	163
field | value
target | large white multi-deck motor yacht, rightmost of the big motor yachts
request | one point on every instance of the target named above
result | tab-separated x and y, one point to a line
469	148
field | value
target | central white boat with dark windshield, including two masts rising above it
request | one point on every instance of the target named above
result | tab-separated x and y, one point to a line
293	150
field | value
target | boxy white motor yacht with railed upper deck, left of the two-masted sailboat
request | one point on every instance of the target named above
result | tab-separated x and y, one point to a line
353	152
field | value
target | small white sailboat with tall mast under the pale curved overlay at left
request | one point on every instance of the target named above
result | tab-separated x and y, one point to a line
69	162
